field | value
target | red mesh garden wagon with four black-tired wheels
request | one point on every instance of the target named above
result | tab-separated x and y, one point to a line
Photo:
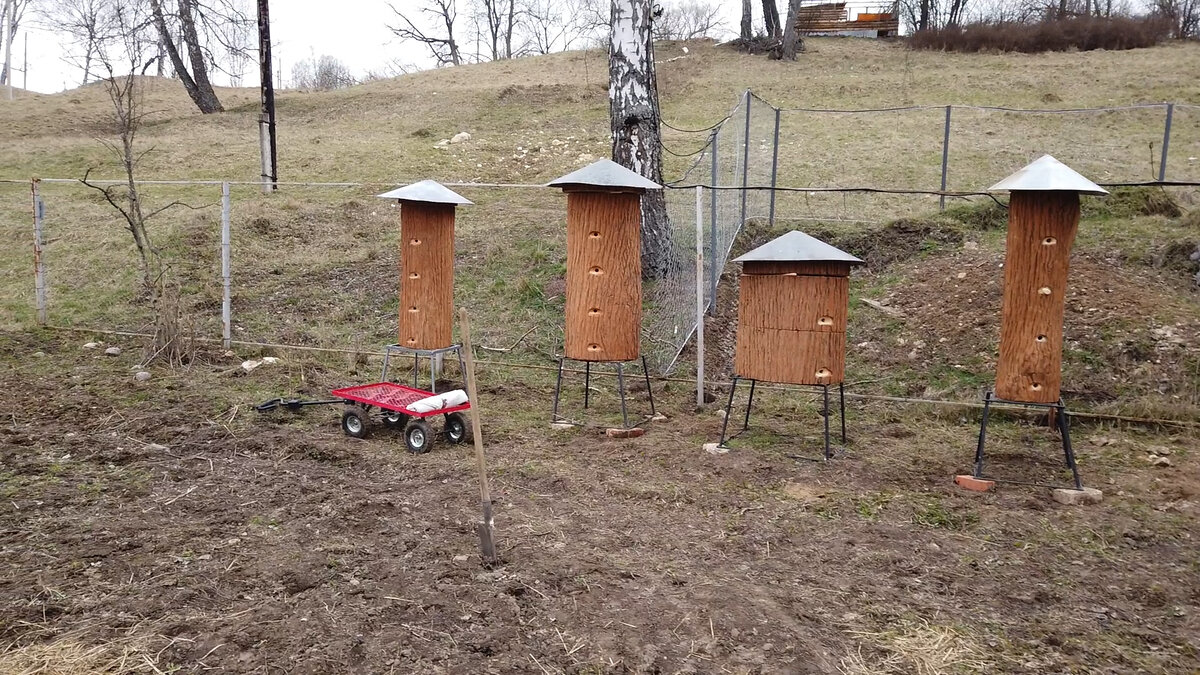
393	402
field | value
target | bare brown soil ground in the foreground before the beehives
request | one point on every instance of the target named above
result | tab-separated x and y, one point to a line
274	543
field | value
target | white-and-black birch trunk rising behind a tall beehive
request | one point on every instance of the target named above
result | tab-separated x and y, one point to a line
634	112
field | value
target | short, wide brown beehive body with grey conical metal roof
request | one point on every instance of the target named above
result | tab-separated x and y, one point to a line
793	307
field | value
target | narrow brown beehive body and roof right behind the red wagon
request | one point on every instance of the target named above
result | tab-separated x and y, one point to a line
427	264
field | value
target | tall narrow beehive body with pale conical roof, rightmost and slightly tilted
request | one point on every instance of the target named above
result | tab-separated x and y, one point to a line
1043	217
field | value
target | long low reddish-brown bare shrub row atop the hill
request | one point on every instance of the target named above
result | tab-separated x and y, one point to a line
1052	35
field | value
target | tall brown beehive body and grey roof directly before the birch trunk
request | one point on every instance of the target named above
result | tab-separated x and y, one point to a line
604	262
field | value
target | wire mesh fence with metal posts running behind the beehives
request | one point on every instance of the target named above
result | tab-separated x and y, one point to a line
322	271
